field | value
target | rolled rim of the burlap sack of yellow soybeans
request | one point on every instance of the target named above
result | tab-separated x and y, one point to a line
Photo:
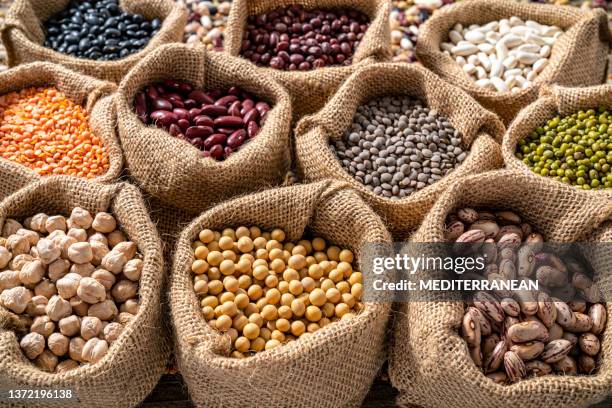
203	335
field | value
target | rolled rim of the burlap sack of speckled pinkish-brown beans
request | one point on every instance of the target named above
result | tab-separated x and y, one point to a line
450	325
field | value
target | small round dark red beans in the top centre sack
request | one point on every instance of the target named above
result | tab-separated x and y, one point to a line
293	38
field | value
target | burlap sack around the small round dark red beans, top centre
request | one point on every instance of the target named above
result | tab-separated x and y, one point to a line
310	90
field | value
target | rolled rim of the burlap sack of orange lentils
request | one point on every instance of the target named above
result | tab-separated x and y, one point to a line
95	90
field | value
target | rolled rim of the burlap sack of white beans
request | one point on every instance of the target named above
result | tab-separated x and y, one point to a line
568	18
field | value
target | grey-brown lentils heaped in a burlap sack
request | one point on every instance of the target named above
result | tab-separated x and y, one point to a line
397	146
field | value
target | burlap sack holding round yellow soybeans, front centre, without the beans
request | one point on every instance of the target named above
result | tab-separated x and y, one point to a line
333	368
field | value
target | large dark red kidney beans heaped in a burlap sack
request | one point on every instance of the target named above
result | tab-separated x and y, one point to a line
216	122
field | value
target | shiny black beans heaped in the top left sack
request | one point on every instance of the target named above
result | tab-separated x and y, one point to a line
98	30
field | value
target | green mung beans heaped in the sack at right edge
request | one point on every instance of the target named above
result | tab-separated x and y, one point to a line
575	149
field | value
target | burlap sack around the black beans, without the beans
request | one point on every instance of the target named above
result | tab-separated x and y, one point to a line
23	35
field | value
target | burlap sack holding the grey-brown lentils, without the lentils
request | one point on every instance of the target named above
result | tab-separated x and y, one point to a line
482	132
